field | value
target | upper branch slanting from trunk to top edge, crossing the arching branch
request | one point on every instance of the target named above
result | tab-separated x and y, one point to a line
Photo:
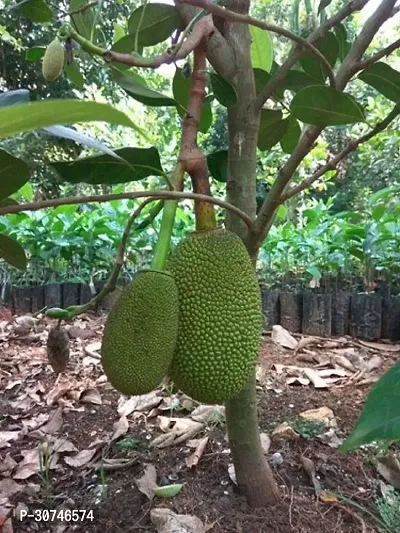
298	51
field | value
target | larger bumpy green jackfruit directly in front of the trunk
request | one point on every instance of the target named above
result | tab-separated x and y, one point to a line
220	317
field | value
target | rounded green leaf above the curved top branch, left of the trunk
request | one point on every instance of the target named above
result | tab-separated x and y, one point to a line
159	22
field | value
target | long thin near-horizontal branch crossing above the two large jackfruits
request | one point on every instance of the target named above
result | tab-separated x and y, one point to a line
157	195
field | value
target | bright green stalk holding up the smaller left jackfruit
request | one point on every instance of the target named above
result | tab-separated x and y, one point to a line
167	223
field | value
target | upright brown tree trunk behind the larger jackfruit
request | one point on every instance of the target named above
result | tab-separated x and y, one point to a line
254	476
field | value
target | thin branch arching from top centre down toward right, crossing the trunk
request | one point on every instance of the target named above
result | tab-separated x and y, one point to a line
246	19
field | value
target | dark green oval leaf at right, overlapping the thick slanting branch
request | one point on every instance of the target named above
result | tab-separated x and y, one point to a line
324	106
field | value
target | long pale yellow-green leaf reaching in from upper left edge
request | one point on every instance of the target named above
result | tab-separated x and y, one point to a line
35	115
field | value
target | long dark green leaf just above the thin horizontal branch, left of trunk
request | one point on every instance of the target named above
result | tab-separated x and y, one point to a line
137	164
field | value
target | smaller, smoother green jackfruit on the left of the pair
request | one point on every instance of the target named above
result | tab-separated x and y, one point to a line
140	333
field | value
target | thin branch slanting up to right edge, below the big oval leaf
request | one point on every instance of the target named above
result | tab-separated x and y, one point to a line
351	147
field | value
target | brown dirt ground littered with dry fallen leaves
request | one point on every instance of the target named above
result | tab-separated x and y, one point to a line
73	443
